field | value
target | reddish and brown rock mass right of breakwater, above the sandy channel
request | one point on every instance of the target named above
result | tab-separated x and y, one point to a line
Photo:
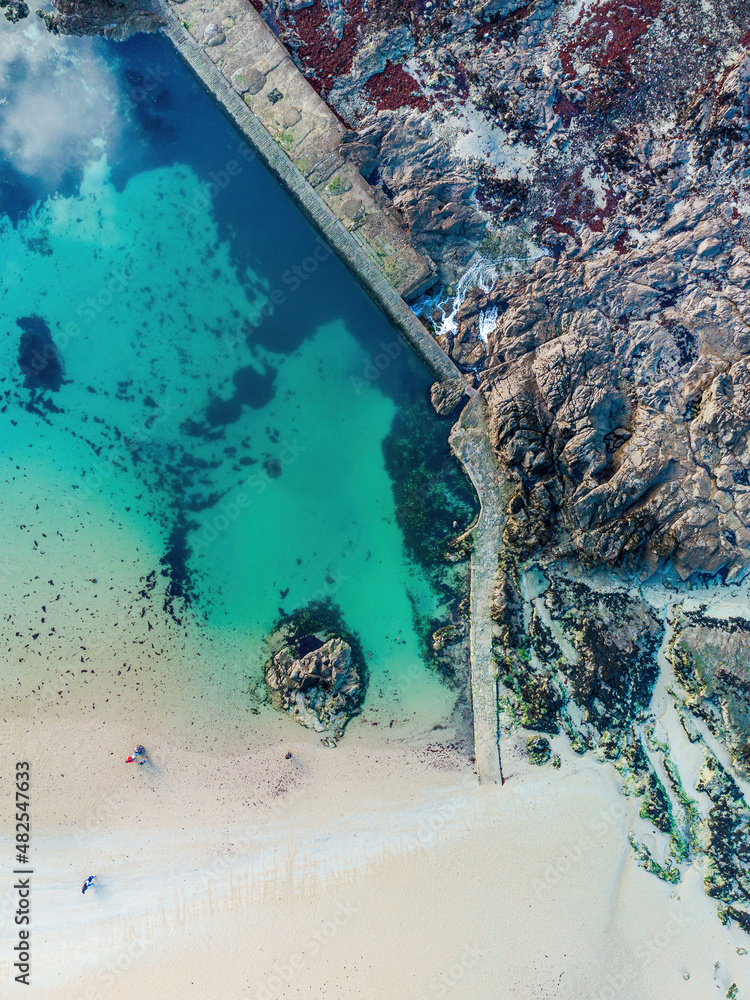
616	140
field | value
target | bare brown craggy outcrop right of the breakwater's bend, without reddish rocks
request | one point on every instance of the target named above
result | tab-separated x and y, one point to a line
617	372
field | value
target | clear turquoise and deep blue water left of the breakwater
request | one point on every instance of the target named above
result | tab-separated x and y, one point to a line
214	454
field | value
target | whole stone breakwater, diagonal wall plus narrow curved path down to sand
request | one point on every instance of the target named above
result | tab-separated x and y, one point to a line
250	75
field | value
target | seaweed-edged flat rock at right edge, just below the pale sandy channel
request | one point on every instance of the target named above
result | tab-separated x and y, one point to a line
711	658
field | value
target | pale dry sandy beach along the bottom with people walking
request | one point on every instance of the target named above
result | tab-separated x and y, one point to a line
376	869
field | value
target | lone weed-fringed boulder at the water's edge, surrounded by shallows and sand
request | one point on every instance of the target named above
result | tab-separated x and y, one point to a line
316	672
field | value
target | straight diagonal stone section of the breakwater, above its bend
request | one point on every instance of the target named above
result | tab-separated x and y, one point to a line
251	77
